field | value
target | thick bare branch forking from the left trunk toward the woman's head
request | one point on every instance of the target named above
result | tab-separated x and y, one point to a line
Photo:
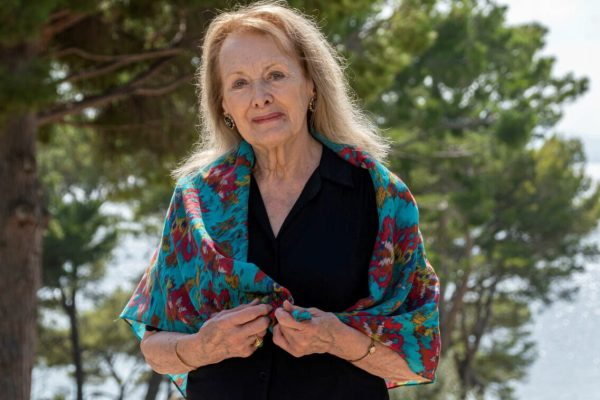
114	94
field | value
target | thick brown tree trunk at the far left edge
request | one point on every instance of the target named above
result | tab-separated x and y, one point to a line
22	223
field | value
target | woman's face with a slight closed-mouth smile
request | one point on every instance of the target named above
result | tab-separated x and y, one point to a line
264	89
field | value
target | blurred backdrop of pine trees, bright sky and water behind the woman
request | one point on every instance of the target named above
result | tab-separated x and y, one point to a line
493	111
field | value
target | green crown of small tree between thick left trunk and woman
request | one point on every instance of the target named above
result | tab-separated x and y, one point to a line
79	238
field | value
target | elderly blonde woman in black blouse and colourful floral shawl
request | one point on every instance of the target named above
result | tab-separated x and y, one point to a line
291	264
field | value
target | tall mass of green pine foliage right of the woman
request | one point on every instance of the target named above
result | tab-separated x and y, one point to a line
505	209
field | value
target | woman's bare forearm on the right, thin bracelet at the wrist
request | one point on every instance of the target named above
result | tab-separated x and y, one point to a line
351	344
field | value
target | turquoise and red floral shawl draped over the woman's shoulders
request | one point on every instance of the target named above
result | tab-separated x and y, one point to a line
200	267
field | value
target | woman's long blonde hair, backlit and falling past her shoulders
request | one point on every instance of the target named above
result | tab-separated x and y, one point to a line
337	115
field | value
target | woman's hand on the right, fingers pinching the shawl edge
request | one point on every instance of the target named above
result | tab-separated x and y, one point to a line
307	337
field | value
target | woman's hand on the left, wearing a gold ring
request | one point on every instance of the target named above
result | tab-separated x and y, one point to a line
233	332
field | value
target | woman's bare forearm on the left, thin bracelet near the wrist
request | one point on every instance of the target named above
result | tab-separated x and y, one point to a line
158	349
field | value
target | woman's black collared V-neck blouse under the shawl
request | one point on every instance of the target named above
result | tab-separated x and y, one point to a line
321	254
